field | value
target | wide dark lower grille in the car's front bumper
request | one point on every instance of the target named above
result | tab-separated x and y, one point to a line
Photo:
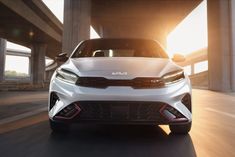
121	111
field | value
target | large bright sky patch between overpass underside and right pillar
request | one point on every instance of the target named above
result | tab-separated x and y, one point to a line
191	34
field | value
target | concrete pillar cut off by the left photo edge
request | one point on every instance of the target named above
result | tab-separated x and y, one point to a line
2	58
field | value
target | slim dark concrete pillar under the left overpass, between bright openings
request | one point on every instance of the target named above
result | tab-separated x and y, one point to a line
38	51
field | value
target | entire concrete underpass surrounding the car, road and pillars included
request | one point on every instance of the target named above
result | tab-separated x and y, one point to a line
24	127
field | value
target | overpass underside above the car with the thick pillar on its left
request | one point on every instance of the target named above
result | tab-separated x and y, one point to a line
125	18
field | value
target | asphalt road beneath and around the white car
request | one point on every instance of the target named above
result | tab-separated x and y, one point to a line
212	134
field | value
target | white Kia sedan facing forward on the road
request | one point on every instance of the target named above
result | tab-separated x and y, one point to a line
120	81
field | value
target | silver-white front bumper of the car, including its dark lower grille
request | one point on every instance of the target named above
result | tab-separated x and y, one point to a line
121	104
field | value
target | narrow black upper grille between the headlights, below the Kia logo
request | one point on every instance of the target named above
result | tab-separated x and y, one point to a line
100	82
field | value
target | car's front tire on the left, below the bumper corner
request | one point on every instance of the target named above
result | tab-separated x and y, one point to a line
59	127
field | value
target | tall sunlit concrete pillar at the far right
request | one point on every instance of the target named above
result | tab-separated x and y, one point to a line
219	45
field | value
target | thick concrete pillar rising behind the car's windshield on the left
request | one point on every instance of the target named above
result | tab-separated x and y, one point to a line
77	21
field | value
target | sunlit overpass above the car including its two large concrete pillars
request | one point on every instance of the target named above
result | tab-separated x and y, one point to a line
155	19
